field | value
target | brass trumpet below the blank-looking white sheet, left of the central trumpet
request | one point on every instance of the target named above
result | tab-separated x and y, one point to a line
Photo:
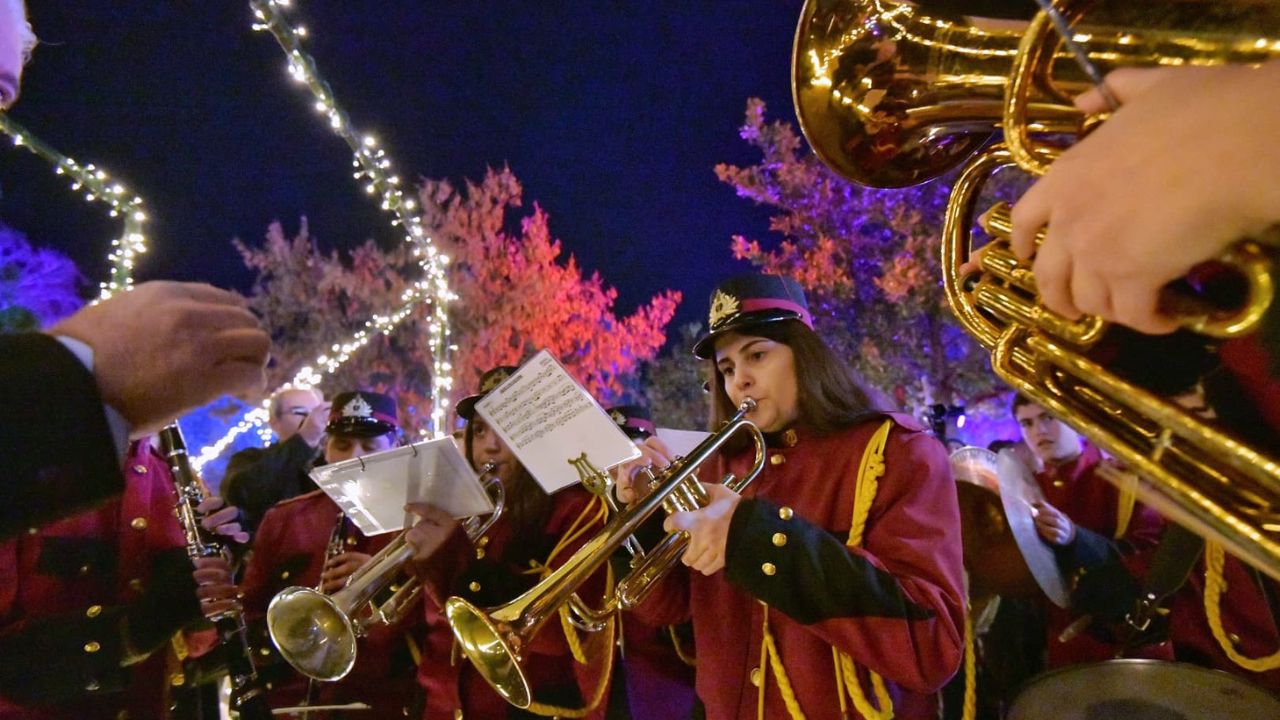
318	634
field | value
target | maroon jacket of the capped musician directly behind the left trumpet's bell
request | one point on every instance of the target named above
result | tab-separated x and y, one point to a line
290	550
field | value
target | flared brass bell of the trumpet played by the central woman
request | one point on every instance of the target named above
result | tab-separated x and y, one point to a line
488	644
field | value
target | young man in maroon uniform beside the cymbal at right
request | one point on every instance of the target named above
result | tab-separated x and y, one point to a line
1089	522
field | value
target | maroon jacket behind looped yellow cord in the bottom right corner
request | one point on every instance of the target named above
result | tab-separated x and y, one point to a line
1246	616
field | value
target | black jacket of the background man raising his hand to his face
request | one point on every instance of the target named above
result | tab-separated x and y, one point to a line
259	479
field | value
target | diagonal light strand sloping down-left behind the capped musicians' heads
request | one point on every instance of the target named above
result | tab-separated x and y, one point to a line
312	375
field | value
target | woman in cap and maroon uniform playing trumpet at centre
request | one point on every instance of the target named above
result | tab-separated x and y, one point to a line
833	587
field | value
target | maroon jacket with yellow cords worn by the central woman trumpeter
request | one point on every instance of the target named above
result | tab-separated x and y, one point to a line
894	605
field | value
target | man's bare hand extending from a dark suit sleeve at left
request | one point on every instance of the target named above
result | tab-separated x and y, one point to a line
166	348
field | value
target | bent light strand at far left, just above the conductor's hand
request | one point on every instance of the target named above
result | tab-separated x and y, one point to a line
99	188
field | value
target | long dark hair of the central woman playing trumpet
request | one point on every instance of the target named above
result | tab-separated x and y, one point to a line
830	397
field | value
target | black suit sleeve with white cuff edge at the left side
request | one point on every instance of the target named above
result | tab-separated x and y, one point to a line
56	440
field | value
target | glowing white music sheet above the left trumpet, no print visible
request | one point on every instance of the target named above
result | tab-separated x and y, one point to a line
373	490
